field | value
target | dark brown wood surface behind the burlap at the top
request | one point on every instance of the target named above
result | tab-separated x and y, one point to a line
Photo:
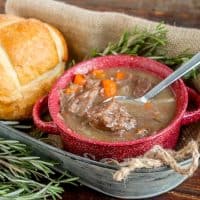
180	13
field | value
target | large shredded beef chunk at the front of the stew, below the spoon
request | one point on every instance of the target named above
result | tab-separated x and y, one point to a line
111	116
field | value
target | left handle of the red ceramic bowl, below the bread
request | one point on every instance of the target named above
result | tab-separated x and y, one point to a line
48	127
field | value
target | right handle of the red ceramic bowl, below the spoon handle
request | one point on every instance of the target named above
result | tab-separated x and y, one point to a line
192	116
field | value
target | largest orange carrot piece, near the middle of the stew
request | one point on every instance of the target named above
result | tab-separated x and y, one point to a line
110	87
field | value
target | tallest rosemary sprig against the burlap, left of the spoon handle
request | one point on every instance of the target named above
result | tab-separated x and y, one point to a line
137	42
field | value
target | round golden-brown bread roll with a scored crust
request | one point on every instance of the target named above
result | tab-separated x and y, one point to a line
32	56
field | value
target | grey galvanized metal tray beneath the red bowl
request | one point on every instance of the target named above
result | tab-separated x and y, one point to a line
140	184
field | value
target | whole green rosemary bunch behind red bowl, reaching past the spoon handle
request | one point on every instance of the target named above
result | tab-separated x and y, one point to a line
146	43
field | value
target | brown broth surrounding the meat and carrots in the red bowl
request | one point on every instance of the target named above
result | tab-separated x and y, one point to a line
162	111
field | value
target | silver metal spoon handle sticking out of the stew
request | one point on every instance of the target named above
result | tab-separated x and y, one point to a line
182	70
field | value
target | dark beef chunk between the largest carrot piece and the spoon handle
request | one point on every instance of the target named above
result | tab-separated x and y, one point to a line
140	86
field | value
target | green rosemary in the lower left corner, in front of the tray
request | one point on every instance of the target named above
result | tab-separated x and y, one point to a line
24	177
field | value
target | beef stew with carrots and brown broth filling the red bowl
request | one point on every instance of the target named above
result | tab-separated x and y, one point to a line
83	110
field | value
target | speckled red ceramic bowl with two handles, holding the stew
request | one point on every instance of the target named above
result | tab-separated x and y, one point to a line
78	144
